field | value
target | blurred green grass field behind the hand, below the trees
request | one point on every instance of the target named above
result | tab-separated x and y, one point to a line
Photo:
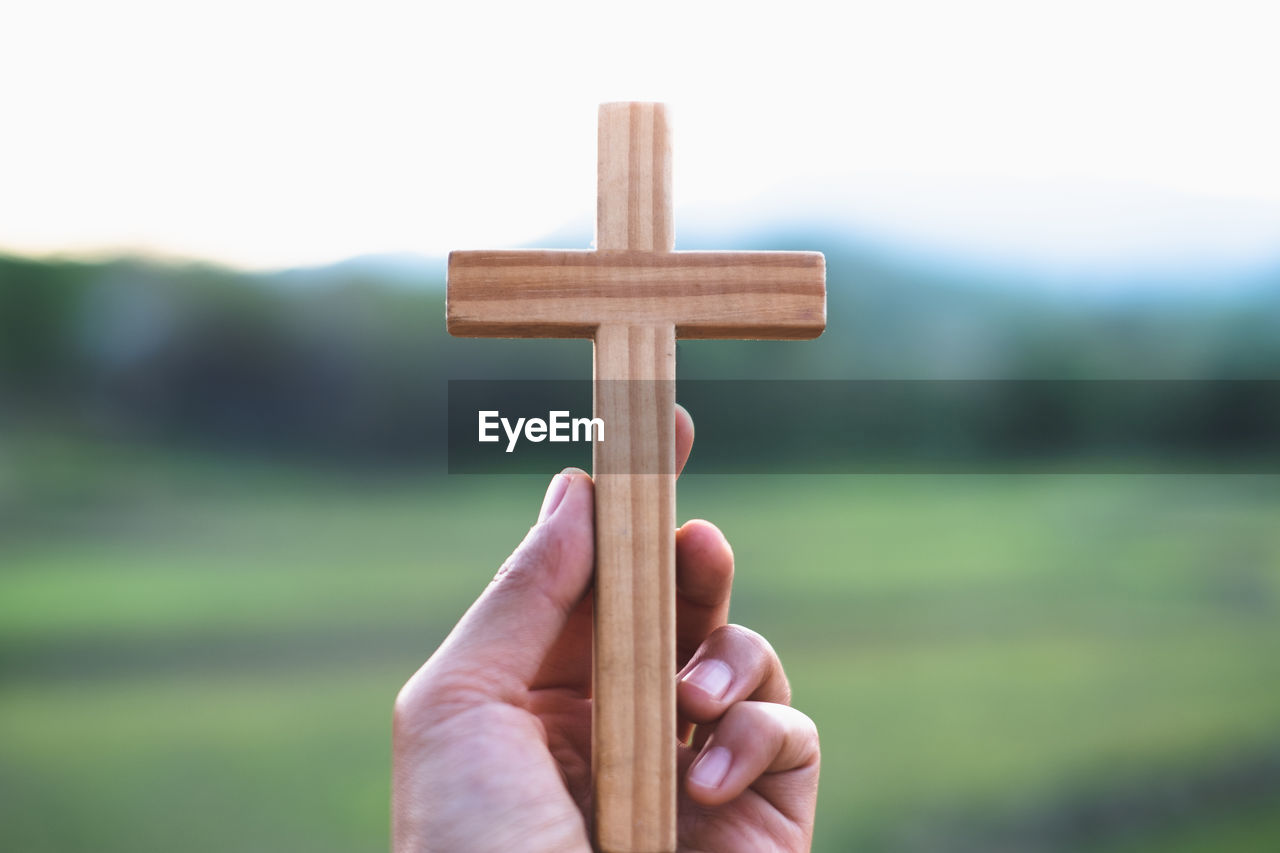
200	654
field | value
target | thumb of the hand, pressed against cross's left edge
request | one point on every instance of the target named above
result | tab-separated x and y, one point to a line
504	638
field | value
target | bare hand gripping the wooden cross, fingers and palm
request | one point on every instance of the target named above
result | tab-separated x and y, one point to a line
492	737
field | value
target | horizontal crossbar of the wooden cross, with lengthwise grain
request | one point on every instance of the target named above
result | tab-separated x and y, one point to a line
572	294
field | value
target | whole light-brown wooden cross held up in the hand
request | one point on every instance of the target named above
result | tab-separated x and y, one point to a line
634	297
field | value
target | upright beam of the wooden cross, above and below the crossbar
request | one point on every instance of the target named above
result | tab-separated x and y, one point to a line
634	690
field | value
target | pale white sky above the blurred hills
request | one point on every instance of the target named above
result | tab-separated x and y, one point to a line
267	135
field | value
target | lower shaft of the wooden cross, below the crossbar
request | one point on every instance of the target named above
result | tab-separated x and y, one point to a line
634	663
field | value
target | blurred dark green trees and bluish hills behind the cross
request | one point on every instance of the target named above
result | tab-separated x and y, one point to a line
351	362
